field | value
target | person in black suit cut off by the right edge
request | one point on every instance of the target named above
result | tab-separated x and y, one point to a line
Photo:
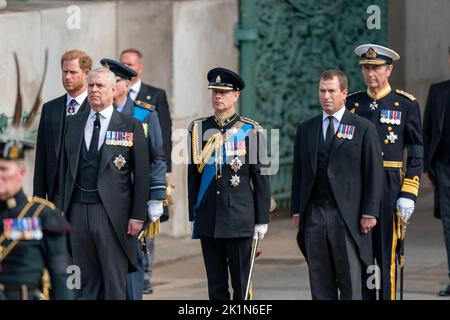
436	136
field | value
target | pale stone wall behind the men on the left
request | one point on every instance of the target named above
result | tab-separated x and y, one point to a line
180	39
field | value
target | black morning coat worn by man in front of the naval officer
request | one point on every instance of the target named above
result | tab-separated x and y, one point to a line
355	172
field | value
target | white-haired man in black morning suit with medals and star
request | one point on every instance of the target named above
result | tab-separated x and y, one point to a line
102	196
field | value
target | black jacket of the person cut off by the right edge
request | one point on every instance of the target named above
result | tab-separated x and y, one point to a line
433	124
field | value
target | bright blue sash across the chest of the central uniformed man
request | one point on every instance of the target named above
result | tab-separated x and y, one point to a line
209	170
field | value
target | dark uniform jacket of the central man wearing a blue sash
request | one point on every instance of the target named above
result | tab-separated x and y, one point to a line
227	211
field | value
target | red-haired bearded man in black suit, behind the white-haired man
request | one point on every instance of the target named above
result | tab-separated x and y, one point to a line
75	67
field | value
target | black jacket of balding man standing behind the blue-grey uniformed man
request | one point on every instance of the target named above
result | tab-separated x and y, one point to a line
157	97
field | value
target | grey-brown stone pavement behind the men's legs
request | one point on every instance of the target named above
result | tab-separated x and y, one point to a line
281	272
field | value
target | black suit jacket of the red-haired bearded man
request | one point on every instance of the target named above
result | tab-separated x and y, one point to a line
50	132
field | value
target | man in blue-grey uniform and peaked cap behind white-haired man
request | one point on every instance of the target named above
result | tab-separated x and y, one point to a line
147	114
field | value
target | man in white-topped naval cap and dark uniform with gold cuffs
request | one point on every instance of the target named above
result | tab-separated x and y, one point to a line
397	117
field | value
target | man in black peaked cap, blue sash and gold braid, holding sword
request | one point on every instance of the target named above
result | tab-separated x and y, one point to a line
229	195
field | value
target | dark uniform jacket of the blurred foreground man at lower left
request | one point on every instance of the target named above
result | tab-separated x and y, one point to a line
25	263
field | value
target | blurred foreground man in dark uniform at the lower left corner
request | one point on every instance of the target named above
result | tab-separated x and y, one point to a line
33	244
